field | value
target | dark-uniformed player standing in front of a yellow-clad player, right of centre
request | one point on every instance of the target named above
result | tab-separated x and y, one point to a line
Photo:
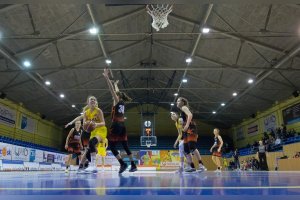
189	131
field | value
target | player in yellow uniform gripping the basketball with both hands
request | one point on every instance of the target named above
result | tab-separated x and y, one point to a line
95	114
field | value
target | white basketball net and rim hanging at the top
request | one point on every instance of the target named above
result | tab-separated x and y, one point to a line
159	14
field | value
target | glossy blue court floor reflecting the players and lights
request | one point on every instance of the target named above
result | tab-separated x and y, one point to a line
151	183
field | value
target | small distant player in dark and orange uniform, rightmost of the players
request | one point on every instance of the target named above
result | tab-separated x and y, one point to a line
216	150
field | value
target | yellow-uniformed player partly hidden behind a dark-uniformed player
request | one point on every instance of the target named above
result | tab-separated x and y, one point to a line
178	124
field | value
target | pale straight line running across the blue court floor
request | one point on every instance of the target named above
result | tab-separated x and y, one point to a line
160	188
